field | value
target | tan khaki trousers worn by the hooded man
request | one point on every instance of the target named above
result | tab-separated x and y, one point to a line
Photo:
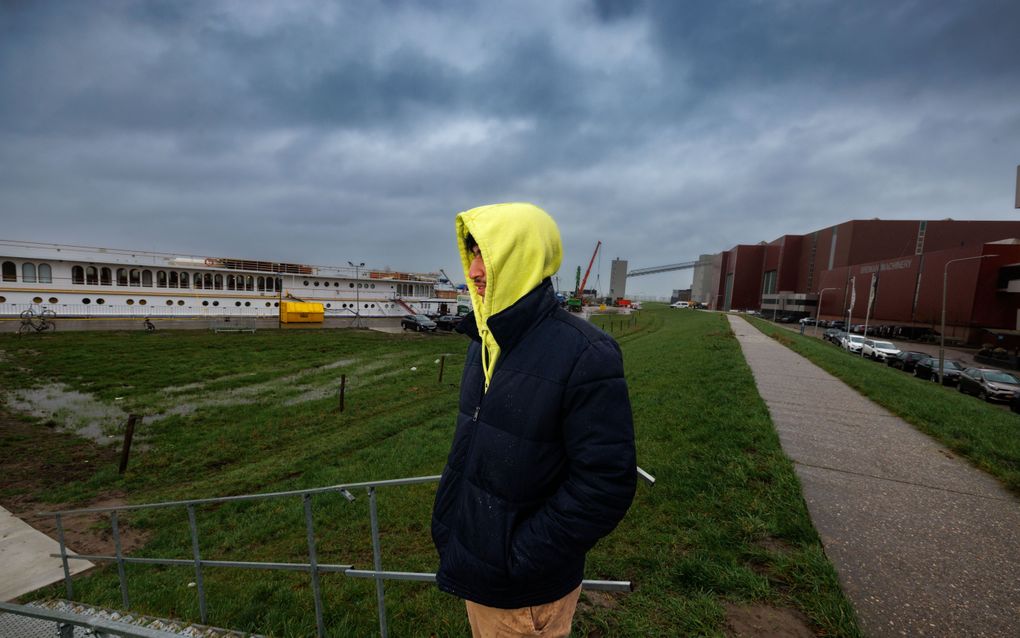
551	620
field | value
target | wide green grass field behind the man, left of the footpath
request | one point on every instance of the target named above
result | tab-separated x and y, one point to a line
725	529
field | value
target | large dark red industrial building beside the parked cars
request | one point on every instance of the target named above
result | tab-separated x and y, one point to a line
899	265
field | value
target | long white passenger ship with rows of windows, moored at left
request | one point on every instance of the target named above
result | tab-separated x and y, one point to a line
84	282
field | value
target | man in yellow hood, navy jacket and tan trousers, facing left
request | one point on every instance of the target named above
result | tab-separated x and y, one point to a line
543	460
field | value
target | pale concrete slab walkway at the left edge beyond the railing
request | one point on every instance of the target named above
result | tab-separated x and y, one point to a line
25	559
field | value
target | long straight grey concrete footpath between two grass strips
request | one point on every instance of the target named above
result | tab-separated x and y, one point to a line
925	545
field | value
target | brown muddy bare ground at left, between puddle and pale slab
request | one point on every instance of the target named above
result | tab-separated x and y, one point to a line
36	459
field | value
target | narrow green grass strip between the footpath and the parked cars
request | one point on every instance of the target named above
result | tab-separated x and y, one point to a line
988	436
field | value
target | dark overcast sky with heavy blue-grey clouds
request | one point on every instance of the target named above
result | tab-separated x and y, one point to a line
326	132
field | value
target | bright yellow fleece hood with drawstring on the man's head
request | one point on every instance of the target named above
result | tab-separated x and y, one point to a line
521	247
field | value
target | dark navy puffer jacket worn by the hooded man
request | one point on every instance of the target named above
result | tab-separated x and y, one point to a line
542	466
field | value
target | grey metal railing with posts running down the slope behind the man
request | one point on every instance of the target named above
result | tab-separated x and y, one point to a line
314	567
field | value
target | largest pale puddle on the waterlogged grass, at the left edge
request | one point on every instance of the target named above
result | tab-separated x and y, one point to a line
71	411
